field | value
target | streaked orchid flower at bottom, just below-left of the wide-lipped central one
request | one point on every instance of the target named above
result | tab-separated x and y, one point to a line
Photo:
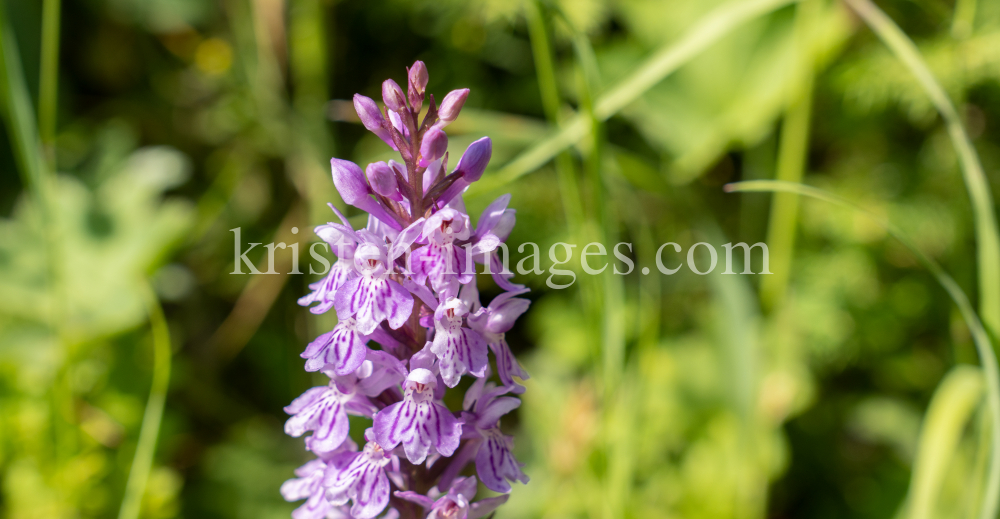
361	477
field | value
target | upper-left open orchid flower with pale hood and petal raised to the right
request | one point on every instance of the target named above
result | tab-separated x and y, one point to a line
372	297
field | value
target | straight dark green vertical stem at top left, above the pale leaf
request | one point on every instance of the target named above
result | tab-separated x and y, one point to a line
48	89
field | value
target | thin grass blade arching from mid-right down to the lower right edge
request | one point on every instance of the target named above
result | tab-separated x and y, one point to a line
980	337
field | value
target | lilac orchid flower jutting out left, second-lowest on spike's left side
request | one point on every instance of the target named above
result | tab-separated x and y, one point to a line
324	411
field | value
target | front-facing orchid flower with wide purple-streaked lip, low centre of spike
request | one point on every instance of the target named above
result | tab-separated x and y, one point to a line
418	422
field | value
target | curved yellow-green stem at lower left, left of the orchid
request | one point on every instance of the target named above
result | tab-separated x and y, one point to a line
138	475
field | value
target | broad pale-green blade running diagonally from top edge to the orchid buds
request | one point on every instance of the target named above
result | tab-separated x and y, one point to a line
720	22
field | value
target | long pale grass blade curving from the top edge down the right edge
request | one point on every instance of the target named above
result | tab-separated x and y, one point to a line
987	235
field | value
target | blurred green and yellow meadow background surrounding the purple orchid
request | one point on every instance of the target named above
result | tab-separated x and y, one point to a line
813	392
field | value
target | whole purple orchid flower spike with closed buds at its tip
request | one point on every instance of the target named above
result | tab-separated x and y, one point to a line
405	282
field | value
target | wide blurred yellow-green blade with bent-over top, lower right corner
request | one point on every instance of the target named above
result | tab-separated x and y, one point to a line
951	407
